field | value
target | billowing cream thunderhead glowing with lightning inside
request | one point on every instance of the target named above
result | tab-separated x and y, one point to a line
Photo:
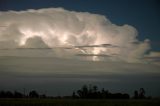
71	33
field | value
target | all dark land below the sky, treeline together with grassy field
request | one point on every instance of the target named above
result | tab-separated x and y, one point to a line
85	96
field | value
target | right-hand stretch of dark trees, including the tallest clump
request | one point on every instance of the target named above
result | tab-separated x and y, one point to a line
92	92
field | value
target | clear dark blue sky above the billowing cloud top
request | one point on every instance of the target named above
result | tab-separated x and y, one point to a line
144	15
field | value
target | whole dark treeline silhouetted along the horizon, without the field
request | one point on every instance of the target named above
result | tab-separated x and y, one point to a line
86	92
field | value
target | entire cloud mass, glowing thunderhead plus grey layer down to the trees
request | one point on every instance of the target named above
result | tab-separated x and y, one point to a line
56	32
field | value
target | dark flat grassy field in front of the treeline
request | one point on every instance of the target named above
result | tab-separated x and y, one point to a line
77	102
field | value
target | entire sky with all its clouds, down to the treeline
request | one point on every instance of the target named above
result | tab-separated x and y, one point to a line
56	46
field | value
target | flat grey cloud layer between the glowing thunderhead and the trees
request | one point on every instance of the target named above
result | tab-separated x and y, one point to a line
65	75
